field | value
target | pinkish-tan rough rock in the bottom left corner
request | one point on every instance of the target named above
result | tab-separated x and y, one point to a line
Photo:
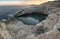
4	34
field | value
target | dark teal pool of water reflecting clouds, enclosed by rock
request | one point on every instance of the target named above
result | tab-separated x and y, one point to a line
31	19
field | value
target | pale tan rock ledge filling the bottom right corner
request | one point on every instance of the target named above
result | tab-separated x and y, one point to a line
53	34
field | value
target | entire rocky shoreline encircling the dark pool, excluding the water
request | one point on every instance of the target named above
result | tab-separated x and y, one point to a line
47	29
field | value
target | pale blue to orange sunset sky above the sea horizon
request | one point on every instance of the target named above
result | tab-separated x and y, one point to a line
22	2
